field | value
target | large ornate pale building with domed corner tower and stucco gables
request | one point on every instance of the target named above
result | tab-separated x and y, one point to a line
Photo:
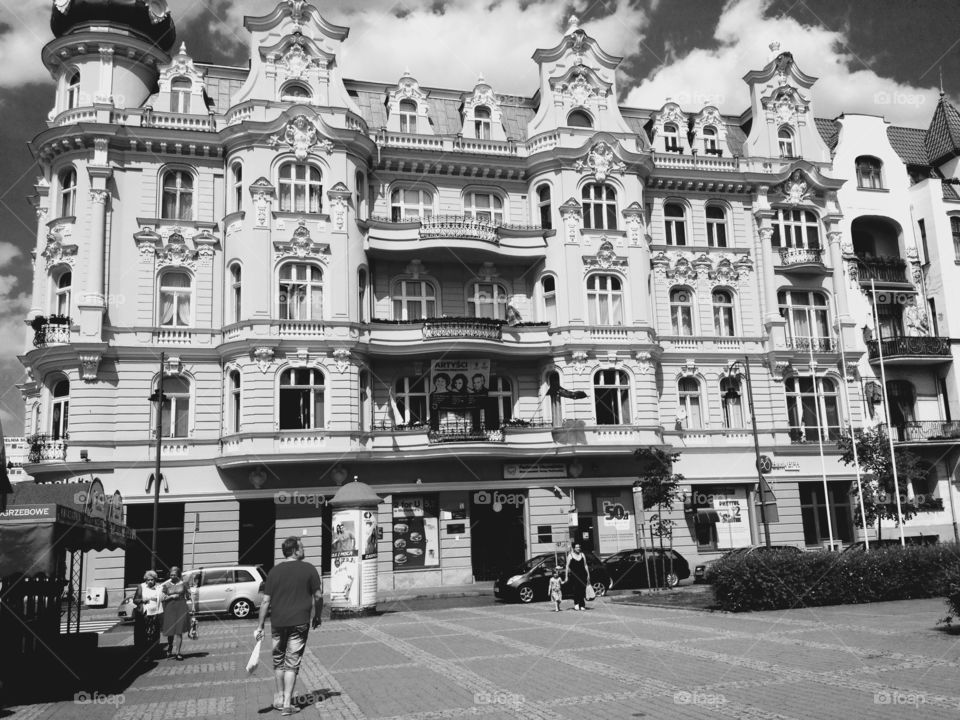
321	259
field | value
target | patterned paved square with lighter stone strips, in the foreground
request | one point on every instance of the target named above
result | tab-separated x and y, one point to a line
885	660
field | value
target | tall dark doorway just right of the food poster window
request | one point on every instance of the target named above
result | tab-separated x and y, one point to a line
498	537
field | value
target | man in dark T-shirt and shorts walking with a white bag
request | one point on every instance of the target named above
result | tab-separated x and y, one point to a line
293	595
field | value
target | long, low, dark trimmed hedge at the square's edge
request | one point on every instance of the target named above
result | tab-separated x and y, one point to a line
777	580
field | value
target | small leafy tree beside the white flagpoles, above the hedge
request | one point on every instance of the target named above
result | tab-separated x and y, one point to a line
879	495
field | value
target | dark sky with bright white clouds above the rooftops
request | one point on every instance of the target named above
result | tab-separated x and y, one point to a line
881	57
